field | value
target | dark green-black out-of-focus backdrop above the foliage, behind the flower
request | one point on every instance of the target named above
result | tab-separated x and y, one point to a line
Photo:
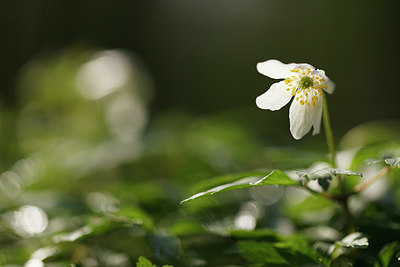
202	54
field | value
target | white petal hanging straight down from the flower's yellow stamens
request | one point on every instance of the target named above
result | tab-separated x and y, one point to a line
301	119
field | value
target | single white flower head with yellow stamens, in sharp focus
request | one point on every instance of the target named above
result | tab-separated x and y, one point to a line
305	84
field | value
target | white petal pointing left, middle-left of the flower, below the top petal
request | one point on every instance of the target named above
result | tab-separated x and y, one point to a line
275	98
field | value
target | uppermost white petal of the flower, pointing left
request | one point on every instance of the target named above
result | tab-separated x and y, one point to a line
275	69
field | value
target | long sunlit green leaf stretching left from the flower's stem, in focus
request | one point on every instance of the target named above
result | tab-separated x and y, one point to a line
275	177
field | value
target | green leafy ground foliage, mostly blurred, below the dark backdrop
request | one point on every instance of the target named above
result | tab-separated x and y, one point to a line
92	179
